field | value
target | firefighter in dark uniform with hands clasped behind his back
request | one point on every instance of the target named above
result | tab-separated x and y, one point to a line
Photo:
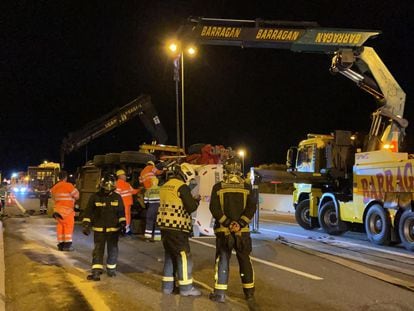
233	206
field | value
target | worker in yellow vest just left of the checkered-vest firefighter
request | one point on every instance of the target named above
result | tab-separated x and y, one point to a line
152	203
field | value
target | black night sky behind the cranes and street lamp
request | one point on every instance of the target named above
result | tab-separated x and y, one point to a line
65	63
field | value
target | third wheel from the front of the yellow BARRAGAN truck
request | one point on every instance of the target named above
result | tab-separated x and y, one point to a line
377	225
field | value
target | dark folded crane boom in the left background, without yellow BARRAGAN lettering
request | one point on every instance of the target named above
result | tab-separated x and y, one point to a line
141	107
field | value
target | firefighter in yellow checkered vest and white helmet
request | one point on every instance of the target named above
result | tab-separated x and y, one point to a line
174	220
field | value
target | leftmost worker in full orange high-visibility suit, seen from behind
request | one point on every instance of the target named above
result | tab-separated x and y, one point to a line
64	194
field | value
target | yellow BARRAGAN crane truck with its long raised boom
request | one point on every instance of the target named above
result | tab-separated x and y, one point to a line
341	179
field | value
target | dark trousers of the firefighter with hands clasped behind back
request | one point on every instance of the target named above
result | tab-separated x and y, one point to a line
242	244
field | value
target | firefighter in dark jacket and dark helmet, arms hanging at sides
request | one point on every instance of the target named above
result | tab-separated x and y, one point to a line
105	215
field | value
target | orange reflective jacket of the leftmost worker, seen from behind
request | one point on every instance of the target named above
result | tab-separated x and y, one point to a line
65	195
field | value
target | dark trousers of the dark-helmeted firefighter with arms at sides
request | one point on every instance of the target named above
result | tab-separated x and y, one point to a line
111	241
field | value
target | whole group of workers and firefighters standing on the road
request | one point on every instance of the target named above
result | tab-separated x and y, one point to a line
169	209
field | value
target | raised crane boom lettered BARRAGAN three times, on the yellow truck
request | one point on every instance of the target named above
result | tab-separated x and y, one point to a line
351	58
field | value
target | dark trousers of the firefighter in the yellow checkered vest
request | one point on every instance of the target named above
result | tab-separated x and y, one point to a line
177	262
